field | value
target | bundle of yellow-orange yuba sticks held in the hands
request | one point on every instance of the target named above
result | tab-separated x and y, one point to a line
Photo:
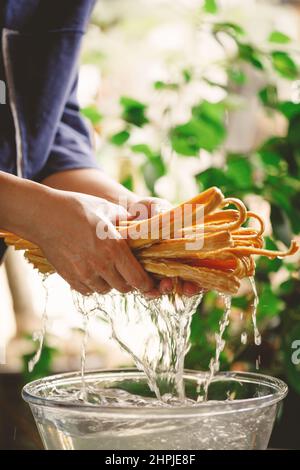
170	249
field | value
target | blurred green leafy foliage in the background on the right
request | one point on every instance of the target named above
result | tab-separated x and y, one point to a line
271	171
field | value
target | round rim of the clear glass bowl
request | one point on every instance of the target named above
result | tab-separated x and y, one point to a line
205	408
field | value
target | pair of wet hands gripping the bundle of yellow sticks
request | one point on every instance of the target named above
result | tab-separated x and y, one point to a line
70	241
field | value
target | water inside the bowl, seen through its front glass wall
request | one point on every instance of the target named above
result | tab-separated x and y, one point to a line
243	431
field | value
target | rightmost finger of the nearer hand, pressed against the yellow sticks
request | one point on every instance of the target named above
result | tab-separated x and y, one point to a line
131	270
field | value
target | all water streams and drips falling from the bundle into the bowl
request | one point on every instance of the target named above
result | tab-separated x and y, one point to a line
155	333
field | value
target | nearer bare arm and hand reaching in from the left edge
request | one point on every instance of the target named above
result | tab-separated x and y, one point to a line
65	226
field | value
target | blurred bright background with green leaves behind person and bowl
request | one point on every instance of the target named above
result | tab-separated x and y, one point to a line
181	96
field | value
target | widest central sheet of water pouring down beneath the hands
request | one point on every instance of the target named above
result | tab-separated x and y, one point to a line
155	333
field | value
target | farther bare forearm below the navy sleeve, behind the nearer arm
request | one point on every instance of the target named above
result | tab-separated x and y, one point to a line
93	182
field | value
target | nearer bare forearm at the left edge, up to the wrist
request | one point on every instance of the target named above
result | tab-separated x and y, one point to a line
21	202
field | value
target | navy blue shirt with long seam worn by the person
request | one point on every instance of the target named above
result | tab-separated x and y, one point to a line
41	129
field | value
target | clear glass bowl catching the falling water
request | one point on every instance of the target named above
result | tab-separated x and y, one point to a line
239	413
